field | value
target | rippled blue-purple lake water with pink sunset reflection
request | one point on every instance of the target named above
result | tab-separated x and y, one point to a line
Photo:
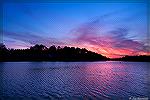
74	80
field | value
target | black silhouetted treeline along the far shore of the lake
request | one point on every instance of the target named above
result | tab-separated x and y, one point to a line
53	53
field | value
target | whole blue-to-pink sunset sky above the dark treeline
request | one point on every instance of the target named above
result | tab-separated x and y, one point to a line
111	29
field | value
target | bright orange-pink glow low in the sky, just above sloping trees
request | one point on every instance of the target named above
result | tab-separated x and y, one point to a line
112	52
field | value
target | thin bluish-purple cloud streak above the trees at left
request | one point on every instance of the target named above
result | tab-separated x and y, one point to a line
32	39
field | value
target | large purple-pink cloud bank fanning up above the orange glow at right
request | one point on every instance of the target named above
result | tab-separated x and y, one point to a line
113	43
